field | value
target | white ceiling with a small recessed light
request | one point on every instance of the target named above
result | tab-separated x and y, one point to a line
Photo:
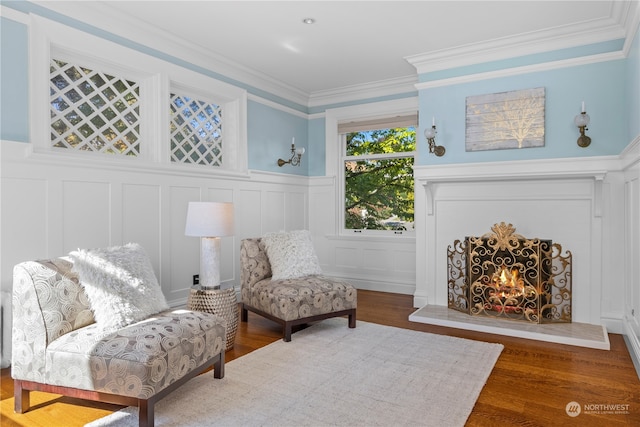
352	44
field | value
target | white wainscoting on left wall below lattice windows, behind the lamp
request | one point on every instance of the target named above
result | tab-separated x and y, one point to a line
53	204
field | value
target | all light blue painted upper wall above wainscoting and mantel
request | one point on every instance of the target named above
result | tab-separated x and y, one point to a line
610	90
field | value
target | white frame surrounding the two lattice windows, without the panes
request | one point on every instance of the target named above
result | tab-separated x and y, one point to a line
156	77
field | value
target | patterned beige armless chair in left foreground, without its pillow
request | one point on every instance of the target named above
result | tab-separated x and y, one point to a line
58	347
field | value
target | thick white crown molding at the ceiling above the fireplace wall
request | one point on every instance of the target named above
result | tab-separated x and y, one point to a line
581	34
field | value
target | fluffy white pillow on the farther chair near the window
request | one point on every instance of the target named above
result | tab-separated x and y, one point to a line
291	254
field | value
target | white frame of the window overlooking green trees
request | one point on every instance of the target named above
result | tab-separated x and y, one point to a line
337	118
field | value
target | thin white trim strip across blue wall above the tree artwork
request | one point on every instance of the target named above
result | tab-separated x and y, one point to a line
536	68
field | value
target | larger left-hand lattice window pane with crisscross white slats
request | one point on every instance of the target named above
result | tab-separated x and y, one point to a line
93	111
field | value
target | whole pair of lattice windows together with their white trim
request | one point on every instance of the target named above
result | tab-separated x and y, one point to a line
93	98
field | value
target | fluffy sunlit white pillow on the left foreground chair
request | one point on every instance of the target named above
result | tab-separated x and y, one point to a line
120	284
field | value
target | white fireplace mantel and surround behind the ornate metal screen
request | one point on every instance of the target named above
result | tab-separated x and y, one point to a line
573	201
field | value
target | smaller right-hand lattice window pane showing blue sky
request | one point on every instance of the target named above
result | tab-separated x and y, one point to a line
196	131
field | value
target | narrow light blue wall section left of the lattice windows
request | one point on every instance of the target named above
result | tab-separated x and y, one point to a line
14	87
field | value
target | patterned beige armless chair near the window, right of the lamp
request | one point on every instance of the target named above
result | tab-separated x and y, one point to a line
294	301
